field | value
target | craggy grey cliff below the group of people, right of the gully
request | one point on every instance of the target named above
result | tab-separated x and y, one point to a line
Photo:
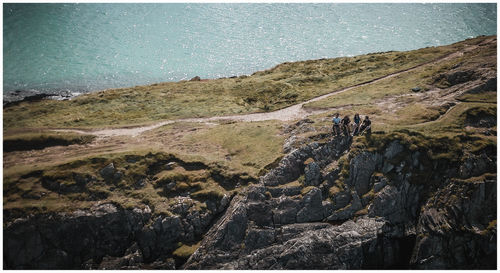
382	217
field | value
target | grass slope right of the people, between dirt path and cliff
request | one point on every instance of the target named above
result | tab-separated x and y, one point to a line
393	106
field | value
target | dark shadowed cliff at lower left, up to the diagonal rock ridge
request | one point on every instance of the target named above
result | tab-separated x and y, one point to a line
105	237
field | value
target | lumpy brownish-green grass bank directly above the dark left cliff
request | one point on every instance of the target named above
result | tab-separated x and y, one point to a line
26	192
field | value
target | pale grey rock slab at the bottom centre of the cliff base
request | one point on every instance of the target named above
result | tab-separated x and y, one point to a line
321	247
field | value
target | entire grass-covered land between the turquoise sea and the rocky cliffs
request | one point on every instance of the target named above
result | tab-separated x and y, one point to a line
46	171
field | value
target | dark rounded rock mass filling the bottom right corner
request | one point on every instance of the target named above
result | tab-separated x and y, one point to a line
457	233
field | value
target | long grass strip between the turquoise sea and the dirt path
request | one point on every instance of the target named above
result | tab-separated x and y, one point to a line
278	87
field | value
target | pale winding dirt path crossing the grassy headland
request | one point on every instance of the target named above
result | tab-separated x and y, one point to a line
293	112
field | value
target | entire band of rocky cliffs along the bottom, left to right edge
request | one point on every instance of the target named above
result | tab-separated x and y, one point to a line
325	206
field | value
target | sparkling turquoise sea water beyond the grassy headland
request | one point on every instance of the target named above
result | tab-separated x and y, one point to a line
85	47
